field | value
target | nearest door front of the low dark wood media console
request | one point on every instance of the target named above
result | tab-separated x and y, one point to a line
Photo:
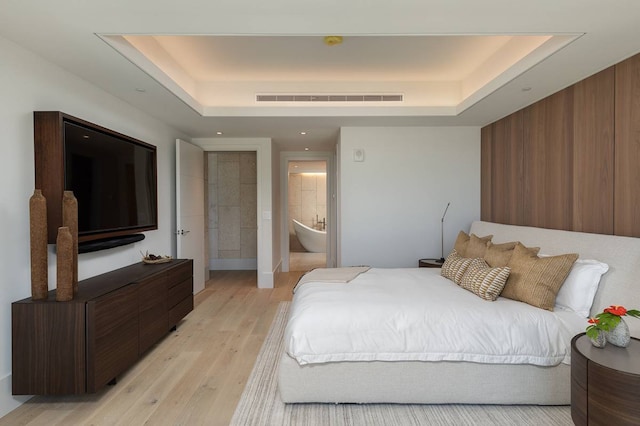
112	335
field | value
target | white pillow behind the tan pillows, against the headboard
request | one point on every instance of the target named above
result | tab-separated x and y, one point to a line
581	285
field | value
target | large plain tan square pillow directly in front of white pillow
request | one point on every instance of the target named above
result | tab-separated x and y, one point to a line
536	280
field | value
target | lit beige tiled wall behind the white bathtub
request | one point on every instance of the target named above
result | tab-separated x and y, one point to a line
307	202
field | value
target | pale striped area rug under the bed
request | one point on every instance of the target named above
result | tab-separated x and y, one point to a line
260	402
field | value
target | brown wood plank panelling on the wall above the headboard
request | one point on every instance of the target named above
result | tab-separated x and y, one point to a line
579	158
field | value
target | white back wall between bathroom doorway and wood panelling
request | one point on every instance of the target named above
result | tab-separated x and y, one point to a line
391	204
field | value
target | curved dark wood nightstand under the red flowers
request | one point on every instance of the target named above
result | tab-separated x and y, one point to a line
605	383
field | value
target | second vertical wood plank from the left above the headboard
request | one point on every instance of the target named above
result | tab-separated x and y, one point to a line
507	170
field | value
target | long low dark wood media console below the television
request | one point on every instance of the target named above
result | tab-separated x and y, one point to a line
61	348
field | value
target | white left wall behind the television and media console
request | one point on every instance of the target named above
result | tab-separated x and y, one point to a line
27	84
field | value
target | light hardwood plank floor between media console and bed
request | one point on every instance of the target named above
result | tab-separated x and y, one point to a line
194	376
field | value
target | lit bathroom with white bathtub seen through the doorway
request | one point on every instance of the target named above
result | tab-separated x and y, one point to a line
307	204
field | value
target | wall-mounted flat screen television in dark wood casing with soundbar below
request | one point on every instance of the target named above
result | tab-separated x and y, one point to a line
112	176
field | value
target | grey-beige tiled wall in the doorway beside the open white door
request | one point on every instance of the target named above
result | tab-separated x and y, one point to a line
232	210
